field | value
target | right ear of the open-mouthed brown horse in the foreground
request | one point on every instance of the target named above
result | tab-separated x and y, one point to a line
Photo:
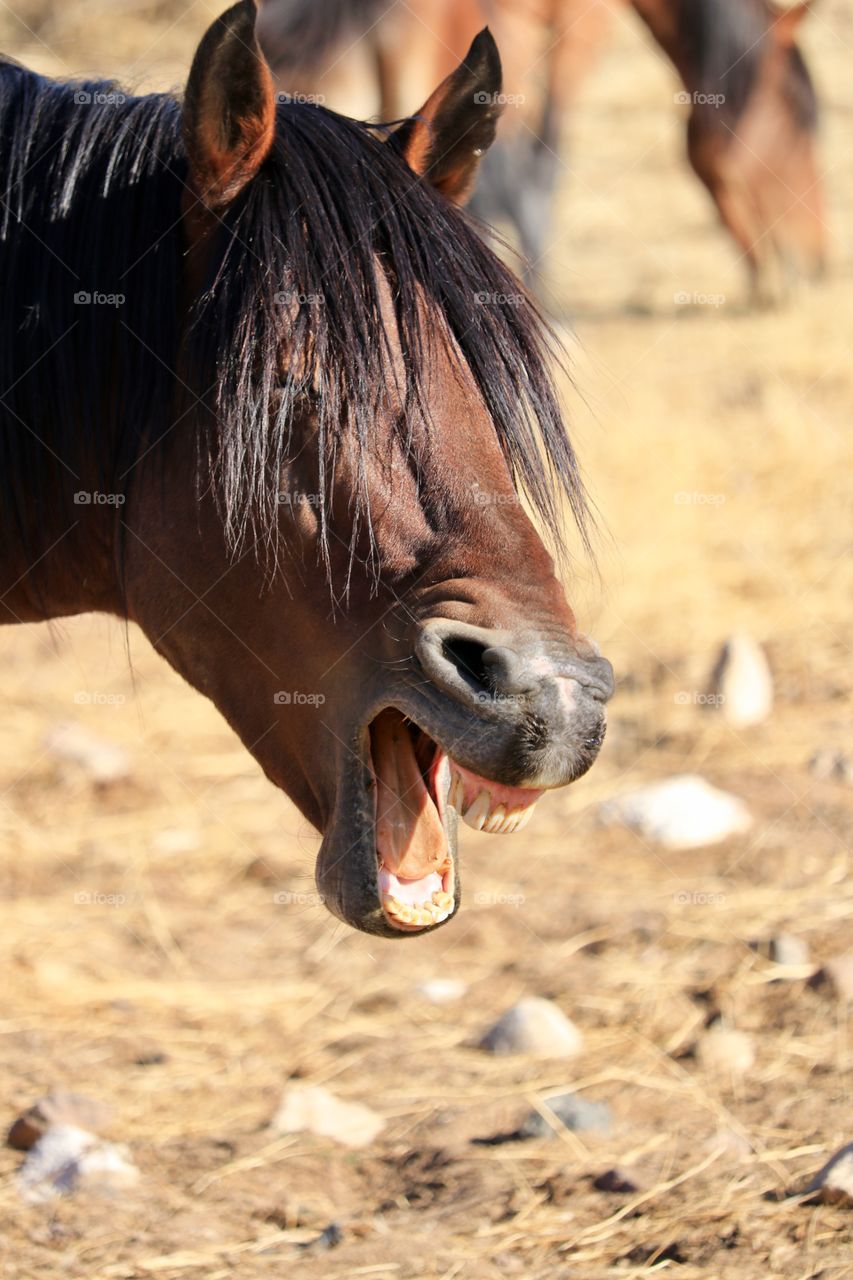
445	141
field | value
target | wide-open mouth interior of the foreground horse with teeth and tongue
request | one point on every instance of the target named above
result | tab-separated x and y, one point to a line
419	790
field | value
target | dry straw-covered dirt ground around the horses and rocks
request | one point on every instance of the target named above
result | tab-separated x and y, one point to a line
149	957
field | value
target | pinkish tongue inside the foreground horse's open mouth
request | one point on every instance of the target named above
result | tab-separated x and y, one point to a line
410	836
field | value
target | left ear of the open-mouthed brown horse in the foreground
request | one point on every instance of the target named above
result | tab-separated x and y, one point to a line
229	109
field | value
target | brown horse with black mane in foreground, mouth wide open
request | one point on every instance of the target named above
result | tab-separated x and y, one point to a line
268	395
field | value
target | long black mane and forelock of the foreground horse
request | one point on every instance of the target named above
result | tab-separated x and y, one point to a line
90	196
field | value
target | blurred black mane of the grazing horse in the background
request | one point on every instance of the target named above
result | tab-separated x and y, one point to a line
726	43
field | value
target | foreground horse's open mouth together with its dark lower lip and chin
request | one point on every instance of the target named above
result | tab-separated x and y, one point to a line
389	862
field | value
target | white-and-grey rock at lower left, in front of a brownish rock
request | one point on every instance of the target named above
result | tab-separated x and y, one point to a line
66	1160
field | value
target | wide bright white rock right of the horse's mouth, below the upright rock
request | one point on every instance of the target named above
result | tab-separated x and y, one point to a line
685	812
